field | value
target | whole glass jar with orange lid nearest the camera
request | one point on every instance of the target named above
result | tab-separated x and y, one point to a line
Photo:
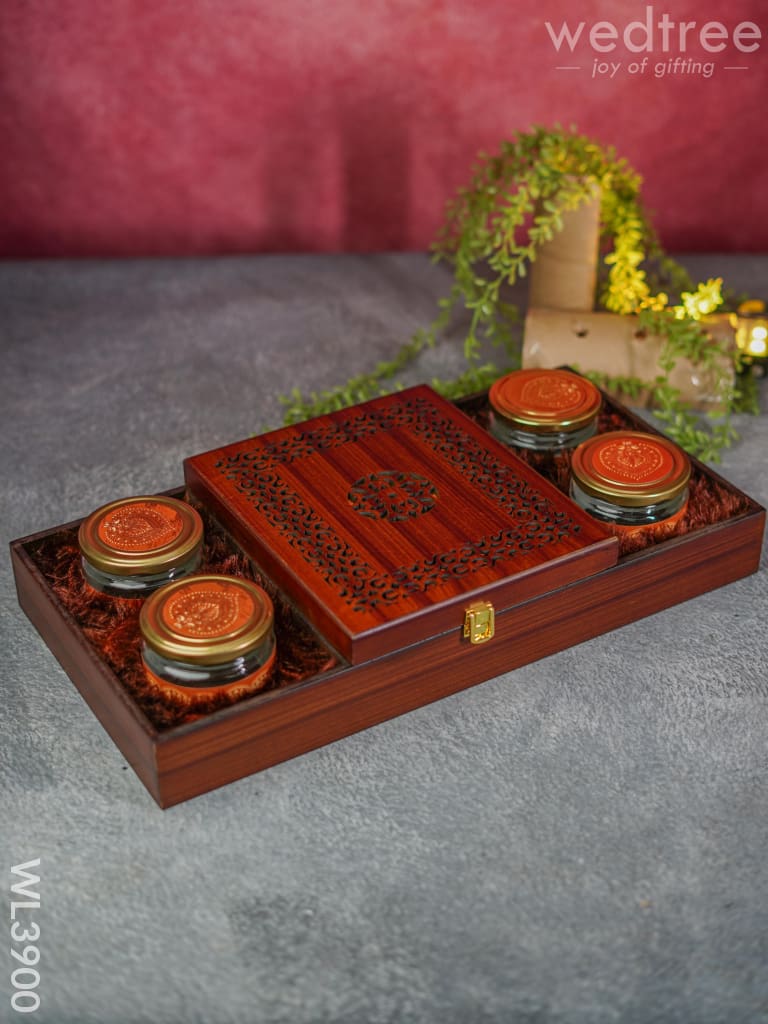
208	635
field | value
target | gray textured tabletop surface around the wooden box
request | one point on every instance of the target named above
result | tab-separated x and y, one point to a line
583	840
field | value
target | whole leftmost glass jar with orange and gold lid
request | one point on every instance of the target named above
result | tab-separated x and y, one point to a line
132	547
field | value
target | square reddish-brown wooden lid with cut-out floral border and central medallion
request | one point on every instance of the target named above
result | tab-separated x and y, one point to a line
385	522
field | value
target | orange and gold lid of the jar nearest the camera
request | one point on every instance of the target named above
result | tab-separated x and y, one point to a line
207	620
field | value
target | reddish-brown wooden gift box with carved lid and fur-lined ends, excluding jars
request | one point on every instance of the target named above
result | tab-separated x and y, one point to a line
347	667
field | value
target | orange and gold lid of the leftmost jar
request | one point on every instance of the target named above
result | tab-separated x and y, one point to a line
141	536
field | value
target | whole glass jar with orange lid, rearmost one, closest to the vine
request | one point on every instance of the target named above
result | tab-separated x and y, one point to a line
544	410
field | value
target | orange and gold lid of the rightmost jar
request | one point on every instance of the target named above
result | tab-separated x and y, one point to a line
631	468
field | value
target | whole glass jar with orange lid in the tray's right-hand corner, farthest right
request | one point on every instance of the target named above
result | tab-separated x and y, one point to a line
632	481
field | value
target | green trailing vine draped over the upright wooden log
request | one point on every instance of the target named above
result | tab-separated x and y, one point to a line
514	204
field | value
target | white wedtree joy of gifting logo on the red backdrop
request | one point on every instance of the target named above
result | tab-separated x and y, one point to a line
658	34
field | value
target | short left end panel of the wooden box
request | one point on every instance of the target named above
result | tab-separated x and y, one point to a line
100	689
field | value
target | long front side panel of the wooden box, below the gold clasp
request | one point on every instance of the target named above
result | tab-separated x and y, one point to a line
354	699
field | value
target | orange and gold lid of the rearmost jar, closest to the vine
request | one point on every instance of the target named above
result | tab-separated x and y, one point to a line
545	401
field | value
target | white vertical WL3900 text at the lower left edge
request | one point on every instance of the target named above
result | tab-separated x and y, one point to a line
25	933
